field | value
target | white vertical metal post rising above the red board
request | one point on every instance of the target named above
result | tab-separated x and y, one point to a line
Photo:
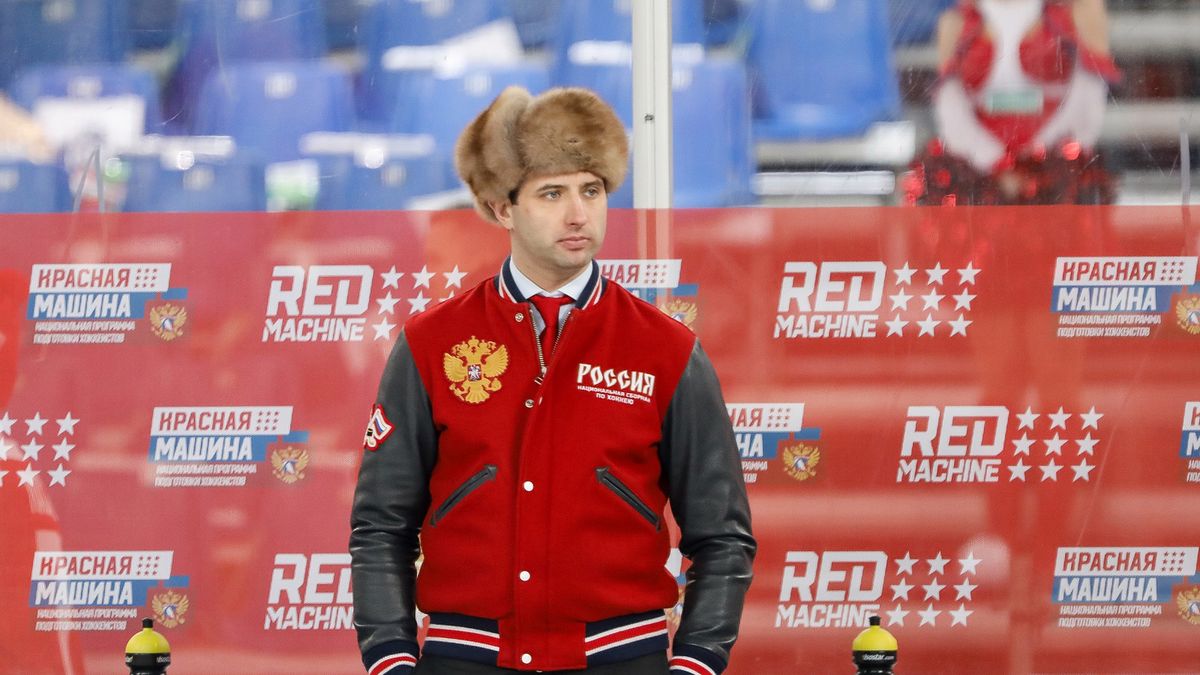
652	104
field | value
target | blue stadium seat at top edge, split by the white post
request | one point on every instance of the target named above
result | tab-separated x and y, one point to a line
610	25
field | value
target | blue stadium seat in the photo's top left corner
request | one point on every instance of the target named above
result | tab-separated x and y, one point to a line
62	32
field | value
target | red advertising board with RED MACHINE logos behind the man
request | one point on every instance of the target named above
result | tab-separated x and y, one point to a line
982	426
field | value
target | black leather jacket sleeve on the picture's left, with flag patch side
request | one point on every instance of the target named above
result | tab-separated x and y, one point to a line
391	503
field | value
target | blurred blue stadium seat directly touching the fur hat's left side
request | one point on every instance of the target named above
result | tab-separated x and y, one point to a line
445	106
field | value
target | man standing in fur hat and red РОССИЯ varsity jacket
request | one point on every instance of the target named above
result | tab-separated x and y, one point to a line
532	432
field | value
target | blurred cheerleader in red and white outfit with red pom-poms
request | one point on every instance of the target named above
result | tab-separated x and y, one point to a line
1019	106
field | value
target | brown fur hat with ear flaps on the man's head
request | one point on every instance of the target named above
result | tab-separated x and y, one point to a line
565	130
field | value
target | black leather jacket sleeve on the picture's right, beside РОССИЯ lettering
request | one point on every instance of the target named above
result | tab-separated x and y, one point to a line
709	498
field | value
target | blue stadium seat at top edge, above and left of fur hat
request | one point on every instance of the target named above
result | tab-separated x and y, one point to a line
388	25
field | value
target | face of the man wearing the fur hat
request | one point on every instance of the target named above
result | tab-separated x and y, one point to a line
556	226
